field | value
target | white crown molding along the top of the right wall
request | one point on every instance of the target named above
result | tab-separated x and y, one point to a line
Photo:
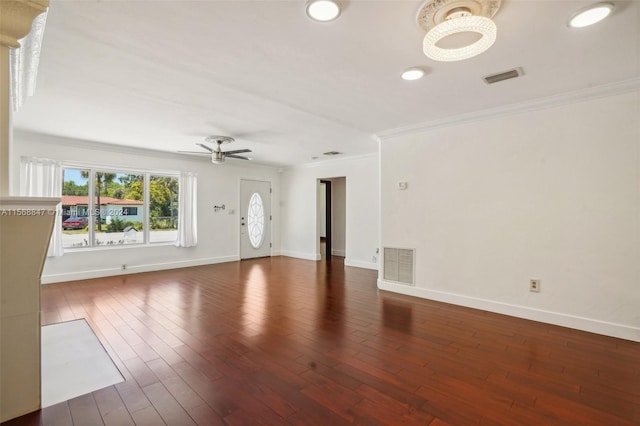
581	95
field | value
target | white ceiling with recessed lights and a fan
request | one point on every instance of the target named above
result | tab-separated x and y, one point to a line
164	74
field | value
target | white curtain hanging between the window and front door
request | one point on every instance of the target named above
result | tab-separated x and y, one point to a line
188	214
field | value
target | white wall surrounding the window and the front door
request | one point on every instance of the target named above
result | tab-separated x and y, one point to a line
218	233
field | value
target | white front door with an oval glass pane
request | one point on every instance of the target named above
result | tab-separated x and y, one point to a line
255	219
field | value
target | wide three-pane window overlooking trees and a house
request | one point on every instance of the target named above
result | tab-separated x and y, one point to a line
126	208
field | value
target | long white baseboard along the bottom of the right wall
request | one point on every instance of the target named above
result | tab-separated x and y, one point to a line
591	325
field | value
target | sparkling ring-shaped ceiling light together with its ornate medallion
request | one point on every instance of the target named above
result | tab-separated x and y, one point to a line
442	19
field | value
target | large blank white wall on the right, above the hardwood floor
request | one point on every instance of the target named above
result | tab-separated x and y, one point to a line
551	194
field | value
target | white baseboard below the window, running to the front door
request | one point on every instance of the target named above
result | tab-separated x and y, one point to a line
133	269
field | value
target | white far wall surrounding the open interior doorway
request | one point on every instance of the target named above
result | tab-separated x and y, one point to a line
300	200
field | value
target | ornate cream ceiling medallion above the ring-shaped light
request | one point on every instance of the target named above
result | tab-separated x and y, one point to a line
434	12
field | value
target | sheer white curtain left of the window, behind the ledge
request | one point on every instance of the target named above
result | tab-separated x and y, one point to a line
41	177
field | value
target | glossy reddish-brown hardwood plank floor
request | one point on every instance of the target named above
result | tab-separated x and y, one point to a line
286	341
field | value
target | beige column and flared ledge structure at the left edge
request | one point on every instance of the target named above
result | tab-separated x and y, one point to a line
21	238
